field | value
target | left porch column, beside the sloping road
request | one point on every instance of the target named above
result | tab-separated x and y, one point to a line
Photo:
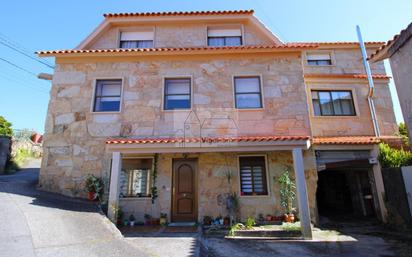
114	187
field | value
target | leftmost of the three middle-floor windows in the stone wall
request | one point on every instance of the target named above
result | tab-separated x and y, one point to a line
107	95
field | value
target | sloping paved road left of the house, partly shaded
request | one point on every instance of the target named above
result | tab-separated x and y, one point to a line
35	223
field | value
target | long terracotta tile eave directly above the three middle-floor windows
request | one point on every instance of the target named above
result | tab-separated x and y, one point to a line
179	49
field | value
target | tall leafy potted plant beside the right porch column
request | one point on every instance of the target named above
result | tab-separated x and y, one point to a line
287	191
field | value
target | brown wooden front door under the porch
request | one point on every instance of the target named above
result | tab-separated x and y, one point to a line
184	196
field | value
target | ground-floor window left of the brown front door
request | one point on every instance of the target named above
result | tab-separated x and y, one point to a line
135	177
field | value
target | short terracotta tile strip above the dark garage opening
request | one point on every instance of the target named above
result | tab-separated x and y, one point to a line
351	140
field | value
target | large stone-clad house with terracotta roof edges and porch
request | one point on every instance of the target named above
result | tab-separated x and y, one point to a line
200	104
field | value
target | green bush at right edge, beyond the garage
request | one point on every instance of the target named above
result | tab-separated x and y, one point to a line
393	158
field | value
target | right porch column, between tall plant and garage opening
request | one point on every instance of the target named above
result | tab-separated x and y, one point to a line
304	214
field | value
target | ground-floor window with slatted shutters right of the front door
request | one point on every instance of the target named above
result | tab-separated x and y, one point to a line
253	175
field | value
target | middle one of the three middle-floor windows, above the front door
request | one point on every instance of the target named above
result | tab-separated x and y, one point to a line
177	93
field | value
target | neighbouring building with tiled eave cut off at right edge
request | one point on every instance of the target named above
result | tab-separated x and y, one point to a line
399	52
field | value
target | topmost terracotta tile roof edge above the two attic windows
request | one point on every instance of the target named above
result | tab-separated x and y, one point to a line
189	13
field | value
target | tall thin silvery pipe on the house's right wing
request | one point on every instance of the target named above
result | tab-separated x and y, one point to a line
370	81
